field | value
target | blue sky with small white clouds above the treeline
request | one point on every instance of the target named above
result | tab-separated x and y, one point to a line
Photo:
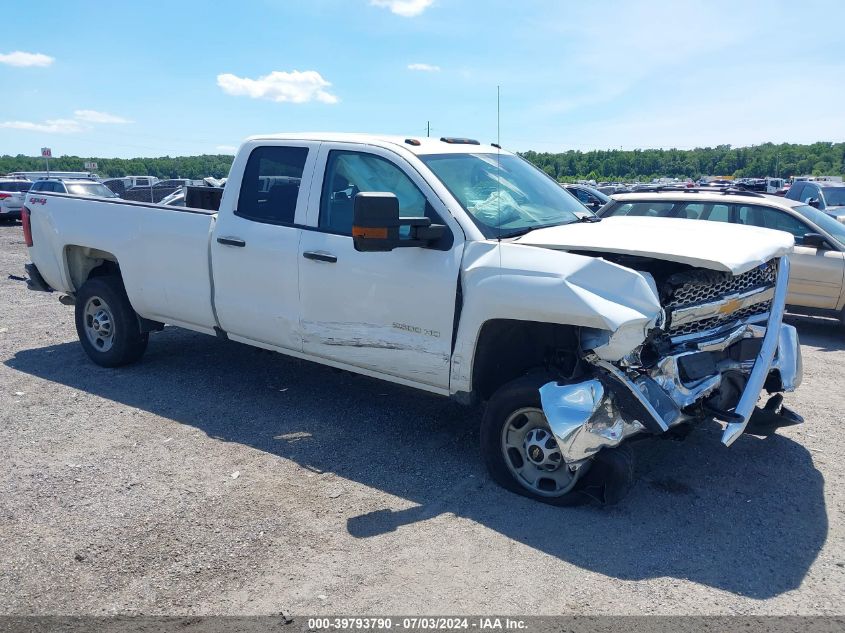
185	77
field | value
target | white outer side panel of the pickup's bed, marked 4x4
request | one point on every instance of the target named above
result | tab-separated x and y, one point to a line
162	251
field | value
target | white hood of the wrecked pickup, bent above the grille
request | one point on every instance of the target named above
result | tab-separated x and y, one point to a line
714	245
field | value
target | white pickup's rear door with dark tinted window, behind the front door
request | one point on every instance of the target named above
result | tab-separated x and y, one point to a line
255	247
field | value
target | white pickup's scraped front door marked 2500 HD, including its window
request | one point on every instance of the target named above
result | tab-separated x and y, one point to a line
390	313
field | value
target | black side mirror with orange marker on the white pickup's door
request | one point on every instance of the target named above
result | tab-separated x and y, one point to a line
376	223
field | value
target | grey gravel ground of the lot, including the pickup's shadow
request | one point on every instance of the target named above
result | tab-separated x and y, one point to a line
215	478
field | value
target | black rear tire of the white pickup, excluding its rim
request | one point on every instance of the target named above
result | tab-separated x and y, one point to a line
129	343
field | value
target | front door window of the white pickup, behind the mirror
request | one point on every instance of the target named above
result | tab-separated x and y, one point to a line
349	173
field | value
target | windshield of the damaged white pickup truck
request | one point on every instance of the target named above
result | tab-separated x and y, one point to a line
504	194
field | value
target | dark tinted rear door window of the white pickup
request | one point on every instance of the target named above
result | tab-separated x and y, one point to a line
271	184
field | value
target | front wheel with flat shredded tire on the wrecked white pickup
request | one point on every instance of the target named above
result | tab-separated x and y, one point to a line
522	454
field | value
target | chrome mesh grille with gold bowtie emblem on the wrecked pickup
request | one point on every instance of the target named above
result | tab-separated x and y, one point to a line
692	294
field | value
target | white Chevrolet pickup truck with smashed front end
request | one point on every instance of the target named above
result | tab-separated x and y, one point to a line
456	268
